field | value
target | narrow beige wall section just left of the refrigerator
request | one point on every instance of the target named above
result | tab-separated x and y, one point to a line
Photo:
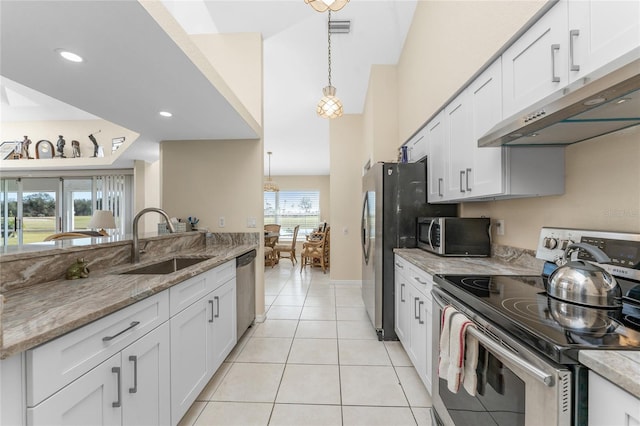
346	134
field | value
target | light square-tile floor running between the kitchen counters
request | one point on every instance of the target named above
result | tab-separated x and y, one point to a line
316	360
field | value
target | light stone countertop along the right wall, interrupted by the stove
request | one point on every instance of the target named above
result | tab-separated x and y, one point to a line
620	367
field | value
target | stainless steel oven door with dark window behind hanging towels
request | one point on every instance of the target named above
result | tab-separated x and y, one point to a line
515	386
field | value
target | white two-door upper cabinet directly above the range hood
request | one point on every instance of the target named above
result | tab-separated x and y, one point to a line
571	41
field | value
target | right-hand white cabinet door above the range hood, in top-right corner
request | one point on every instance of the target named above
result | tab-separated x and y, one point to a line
600	32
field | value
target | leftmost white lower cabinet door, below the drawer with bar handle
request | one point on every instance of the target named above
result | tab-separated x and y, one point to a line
92	399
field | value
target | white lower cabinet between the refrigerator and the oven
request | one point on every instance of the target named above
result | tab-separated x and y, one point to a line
413	316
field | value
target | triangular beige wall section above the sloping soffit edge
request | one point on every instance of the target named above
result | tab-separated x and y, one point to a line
238	59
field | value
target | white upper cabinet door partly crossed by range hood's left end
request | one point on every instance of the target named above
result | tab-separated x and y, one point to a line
485	97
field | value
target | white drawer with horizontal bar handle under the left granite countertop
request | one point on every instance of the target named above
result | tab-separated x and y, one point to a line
58	362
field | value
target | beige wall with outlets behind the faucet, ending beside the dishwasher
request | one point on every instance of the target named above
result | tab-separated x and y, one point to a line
210	179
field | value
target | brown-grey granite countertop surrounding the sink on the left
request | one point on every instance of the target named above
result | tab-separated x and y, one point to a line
36	314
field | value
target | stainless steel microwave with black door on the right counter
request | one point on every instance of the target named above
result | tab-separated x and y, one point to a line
455	236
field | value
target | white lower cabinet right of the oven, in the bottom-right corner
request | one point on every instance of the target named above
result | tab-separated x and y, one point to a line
611	405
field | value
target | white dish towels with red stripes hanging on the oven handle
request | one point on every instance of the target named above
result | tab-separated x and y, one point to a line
458	352
